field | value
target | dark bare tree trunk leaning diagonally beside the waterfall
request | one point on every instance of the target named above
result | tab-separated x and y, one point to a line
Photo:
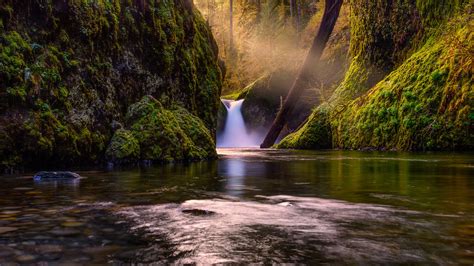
331	13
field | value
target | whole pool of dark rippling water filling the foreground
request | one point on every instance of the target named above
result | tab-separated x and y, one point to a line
260	206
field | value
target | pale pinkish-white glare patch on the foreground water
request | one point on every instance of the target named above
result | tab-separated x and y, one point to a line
283	229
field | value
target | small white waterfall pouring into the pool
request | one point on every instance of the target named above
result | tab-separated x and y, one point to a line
235	132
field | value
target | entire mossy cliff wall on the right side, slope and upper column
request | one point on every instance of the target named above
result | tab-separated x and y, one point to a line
409	85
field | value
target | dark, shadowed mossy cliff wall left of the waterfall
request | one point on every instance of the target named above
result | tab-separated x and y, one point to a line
70	71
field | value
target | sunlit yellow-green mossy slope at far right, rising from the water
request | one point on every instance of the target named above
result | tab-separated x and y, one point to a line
431	109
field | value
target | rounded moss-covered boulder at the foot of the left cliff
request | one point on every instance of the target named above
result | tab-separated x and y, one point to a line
165	135
